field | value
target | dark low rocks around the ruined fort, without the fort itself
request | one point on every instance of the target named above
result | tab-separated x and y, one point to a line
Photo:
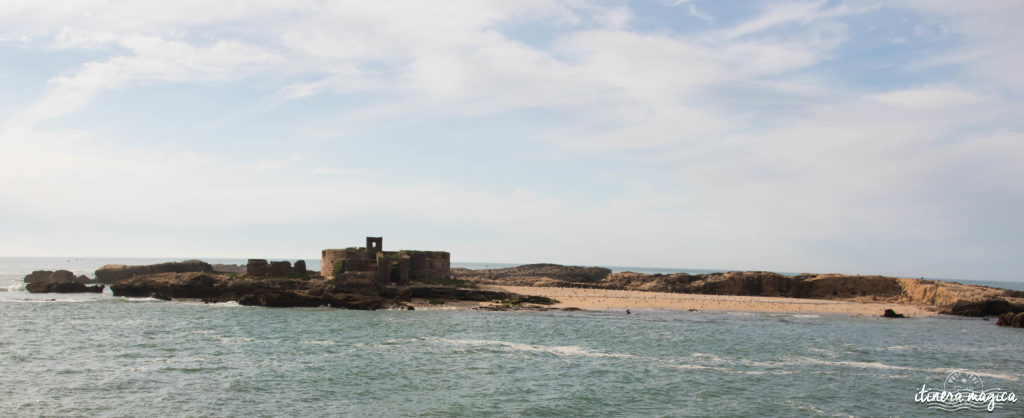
198	280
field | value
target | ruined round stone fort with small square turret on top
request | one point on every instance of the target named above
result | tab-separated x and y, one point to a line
373	264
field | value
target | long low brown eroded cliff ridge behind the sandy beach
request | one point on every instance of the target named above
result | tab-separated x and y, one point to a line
941	297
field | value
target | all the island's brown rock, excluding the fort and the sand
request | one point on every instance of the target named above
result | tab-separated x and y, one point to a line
301	288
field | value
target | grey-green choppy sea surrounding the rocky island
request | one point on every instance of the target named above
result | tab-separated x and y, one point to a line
96	355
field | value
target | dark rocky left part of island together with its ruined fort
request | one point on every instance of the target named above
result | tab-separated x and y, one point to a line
365	278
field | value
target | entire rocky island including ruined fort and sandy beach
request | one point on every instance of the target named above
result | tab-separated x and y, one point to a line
369	278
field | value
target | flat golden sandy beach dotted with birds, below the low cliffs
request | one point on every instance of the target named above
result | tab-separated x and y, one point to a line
624	300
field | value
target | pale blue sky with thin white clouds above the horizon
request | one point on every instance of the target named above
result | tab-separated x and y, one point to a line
820	137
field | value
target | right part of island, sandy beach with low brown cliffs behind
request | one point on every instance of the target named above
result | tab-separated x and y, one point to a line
757	290
